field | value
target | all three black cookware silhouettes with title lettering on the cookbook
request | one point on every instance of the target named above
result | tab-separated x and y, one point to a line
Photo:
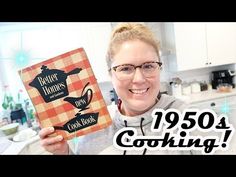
51	84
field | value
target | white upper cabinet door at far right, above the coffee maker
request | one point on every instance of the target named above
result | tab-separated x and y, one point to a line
221	43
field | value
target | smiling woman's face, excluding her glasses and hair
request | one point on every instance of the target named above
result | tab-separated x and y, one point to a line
137	93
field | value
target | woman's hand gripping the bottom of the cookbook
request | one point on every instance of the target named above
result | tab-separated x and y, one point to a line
55	145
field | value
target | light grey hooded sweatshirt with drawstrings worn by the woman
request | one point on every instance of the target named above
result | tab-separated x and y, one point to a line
101	142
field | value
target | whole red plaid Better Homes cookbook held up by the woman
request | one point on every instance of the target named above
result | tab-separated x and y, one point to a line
66	95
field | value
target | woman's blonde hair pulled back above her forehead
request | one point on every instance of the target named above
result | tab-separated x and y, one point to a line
130	31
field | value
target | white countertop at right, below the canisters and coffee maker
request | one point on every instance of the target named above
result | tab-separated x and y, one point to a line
206	96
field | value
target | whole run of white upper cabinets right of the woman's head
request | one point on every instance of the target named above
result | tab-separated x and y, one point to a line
199	45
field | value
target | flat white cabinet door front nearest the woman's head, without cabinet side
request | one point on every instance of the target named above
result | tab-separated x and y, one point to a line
190	40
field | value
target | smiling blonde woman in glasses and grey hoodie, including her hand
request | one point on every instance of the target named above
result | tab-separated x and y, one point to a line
134	65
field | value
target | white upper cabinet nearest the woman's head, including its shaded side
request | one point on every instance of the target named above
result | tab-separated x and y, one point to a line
187	43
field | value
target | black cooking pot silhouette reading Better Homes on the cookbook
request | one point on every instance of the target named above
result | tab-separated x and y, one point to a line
51	83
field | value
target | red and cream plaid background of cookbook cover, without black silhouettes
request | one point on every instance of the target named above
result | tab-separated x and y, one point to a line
58	112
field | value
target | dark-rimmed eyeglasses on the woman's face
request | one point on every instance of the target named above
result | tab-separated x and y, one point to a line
126	71
